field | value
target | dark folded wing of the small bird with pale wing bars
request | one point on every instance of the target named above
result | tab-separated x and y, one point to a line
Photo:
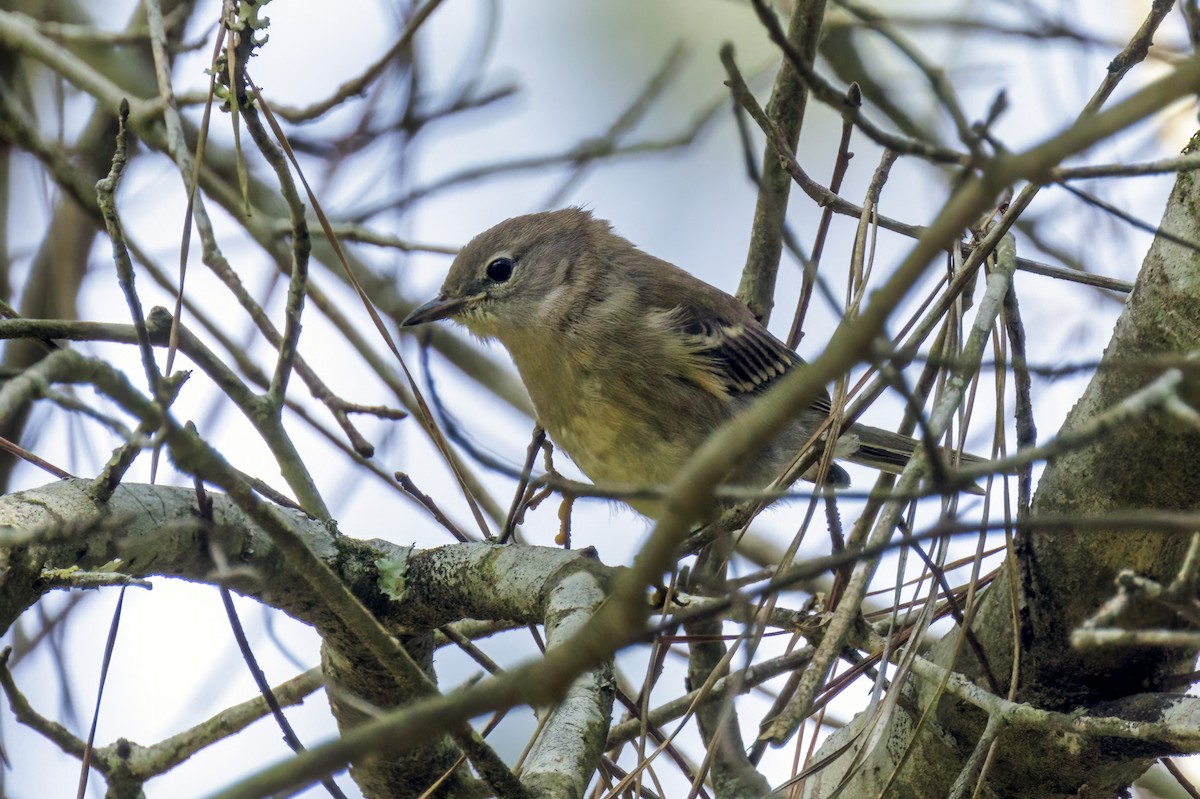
737	358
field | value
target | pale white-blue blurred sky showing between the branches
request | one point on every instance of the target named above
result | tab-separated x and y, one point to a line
578	65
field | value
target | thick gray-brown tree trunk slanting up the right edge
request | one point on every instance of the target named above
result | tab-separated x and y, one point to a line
1067	572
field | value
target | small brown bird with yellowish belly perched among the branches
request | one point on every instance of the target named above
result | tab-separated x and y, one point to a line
631	362
